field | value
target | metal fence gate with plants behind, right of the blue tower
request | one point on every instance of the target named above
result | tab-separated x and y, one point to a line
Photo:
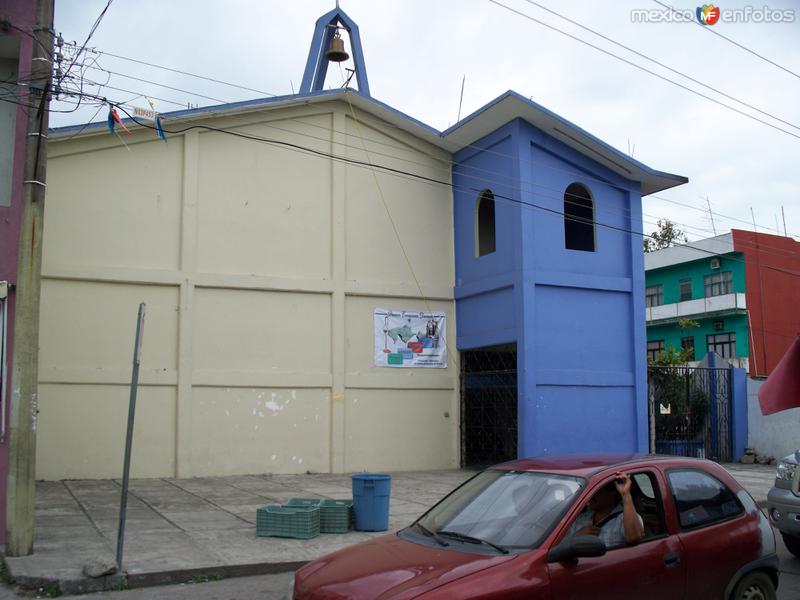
690	409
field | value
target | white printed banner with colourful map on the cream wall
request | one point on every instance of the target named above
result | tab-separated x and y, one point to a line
407	338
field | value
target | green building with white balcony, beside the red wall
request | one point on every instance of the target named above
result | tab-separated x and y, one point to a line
704	283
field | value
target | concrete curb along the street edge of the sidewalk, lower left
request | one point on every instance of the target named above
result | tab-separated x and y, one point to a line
123	581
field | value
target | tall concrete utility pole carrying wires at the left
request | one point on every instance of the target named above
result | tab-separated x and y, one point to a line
25	360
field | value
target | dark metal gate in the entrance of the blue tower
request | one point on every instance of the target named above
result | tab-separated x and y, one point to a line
488	405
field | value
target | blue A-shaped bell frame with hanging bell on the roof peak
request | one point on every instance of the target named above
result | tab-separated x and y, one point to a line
327	46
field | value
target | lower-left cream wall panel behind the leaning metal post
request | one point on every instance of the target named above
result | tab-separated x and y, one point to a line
81	432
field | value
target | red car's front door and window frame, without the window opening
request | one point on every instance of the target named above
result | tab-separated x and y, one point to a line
653	569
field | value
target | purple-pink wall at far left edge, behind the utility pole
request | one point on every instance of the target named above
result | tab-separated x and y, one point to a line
21	14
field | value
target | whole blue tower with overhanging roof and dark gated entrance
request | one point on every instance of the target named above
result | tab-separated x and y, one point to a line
549	285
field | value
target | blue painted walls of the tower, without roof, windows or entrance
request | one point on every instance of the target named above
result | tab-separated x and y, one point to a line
576	390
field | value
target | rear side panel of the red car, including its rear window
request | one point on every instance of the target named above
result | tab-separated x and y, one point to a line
716	533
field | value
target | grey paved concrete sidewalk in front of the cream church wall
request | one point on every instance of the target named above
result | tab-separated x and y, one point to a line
178	529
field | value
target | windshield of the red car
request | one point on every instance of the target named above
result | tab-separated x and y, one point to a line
512	509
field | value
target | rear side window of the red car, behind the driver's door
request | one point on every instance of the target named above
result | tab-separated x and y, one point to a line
701	499
